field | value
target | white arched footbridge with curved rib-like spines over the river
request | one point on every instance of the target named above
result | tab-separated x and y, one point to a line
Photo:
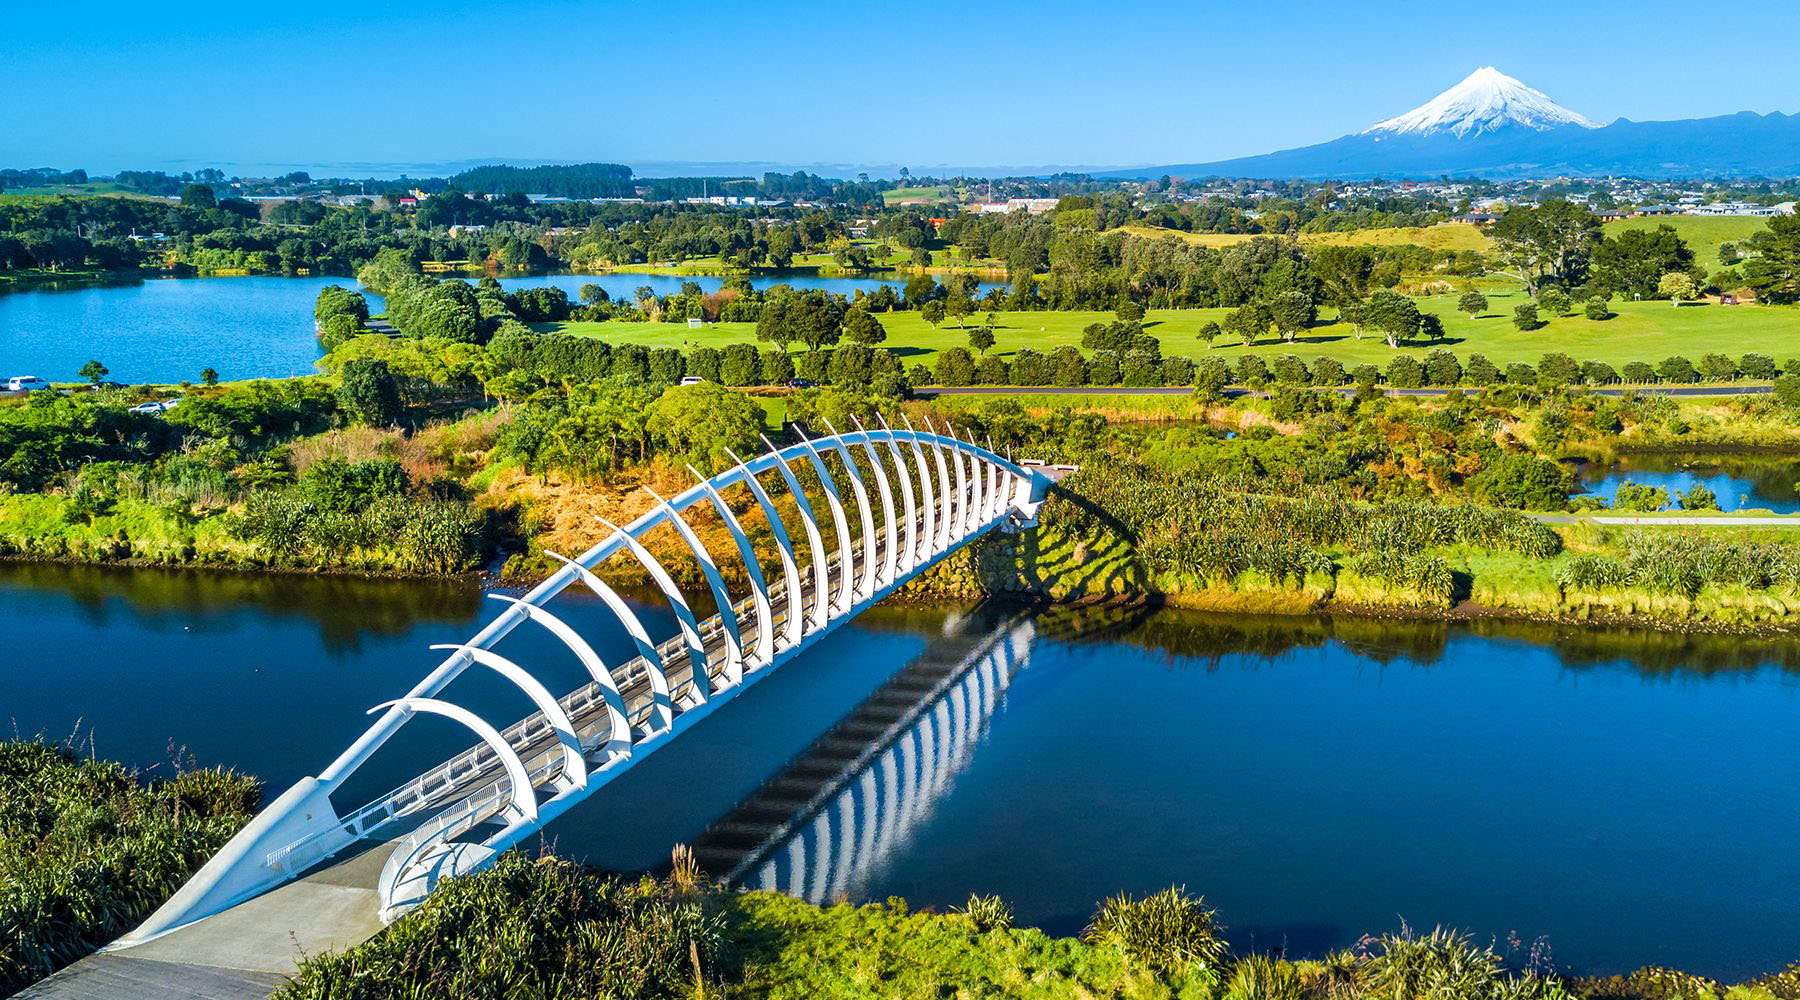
917	496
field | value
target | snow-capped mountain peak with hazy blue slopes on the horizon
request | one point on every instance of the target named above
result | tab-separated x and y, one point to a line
1491	125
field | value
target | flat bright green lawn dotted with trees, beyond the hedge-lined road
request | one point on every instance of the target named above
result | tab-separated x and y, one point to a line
1641	332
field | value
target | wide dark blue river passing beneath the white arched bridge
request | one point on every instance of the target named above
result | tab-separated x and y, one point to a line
1619	794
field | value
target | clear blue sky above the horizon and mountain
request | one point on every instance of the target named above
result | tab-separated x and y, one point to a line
118	85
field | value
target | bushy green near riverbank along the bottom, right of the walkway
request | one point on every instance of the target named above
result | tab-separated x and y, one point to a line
681	936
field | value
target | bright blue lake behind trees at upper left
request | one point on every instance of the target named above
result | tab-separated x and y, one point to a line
166	330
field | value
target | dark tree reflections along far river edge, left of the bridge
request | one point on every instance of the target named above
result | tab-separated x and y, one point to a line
345	609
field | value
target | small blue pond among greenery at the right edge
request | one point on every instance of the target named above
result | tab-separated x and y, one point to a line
1740	481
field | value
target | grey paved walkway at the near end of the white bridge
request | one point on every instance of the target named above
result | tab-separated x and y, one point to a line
244	952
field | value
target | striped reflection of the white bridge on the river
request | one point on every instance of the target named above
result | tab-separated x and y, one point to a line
849	801
